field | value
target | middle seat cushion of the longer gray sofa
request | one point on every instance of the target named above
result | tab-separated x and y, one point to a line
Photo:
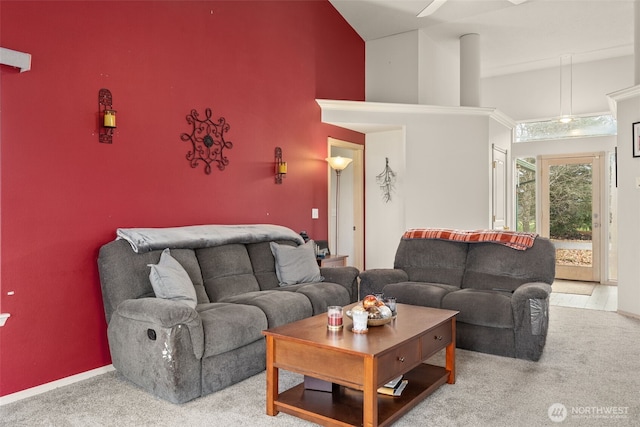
279	307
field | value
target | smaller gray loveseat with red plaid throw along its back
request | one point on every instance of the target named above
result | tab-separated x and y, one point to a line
502	294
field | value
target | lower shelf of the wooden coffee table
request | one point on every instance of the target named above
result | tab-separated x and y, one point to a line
344	407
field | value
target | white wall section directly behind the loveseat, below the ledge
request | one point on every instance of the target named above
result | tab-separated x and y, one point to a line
448	173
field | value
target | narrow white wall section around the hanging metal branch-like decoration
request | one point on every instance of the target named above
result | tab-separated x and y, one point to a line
382	241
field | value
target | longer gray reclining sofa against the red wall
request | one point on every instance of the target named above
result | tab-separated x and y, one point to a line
179	349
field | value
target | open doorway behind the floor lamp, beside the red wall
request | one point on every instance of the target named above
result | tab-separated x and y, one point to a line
350	233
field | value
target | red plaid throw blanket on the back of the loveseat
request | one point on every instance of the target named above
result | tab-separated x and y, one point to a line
513	239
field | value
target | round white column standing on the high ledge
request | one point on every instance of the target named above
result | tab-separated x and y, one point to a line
470	70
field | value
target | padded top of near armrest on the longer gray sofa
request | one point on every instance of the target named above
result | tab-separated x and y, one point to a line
167	314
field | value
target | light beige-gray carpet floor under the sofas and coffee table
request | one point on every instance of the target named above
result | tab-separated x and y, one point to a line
587	376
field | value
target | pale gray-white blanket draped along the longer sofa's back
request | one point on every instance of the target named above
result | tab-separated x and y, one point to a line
202	236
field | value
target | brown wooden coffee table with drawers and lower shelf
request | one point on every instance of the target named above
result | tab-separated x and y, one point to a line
359	364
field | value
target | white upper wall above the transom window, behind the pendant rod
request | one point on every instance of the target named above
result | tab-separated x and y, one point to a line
536	94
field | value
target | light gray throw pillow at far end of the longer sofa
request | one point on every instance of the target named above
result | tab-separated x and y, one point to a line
296	264
